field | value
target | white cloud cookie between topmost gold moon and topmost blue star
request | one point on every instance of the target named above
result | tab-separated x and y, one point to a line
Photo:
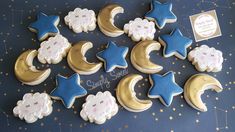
140	29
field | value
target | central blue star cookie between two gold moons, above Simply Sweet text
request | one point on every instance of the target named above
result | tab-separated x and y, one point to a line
113	56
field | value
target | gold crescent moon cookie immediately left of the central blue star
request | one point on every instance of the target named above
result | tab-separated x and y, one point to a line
77	61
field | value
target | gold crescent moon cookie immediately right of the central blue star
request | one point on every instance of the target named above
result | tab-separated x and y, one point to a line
140	57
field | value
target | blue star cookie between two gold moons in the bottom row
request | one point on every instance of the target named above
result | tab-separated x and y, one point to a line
164	87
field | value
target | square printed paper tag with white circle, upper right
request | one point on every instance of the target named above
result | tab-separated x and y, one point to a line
205	25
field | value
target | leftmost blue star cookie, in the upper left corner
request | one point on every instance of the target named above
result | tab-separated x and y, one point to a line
45	26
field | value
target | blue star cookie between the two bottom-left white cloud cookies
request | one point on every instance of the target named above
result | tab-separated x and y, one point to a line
68	89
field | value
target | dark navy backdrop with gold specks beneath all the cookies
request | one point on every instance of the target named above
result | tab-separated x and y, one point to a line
15	16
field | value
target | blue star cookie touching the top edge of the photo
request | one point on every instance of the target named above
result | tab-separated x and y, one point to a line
161	13
